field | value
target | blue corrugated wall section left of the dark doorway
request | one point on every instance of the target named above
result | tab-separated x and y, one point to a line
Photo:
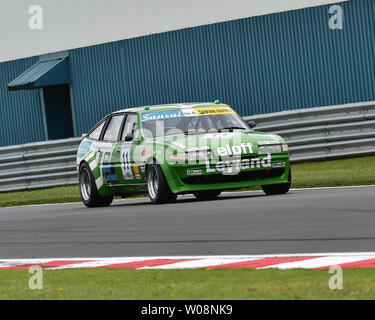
20	111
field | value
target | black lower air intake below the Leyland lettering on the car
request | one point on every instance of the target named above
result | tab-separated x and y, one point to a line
240	177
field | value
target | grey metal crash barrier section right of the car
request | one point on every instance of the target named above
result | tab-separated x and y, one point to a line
324	132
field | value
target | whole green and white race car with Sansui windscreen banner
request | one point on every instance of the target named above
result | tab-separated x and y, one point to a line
198	148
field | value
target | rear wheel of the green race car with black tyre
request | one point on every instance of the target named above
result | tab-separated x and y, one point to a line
87	187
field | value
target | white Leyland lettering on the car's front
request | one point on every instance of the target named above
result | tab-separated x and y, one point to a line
236	165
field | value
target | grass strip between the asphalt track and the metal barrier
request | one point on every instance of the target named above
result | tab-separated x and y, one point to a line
347	172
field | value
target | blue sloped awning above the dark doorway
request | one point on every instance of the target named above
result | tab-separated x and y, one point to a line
43	73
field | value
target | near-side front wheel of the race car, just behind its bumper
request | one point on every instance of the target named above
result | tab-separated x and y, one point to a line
157	186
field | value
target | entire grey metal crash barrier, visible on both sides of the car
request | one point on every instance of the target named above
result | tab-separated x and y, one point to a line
312	134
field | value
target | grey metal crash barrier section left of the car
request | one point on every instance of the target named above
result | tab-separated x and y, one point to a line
39	165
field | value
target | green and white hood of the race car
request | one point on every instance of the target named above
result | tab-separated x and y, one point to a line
245	140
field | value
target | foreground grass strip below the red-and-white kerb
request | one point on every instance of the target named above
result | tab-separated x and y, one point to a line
187	284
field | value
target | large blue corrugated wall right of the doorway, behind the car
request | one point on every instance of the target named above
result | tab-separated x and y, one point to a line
258	65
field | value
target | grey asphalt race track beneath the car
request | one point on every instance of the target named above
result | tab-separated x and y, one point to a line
302	221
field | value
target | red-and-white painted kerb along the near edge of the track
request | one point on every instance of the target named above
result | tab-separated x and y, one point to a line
322	260
